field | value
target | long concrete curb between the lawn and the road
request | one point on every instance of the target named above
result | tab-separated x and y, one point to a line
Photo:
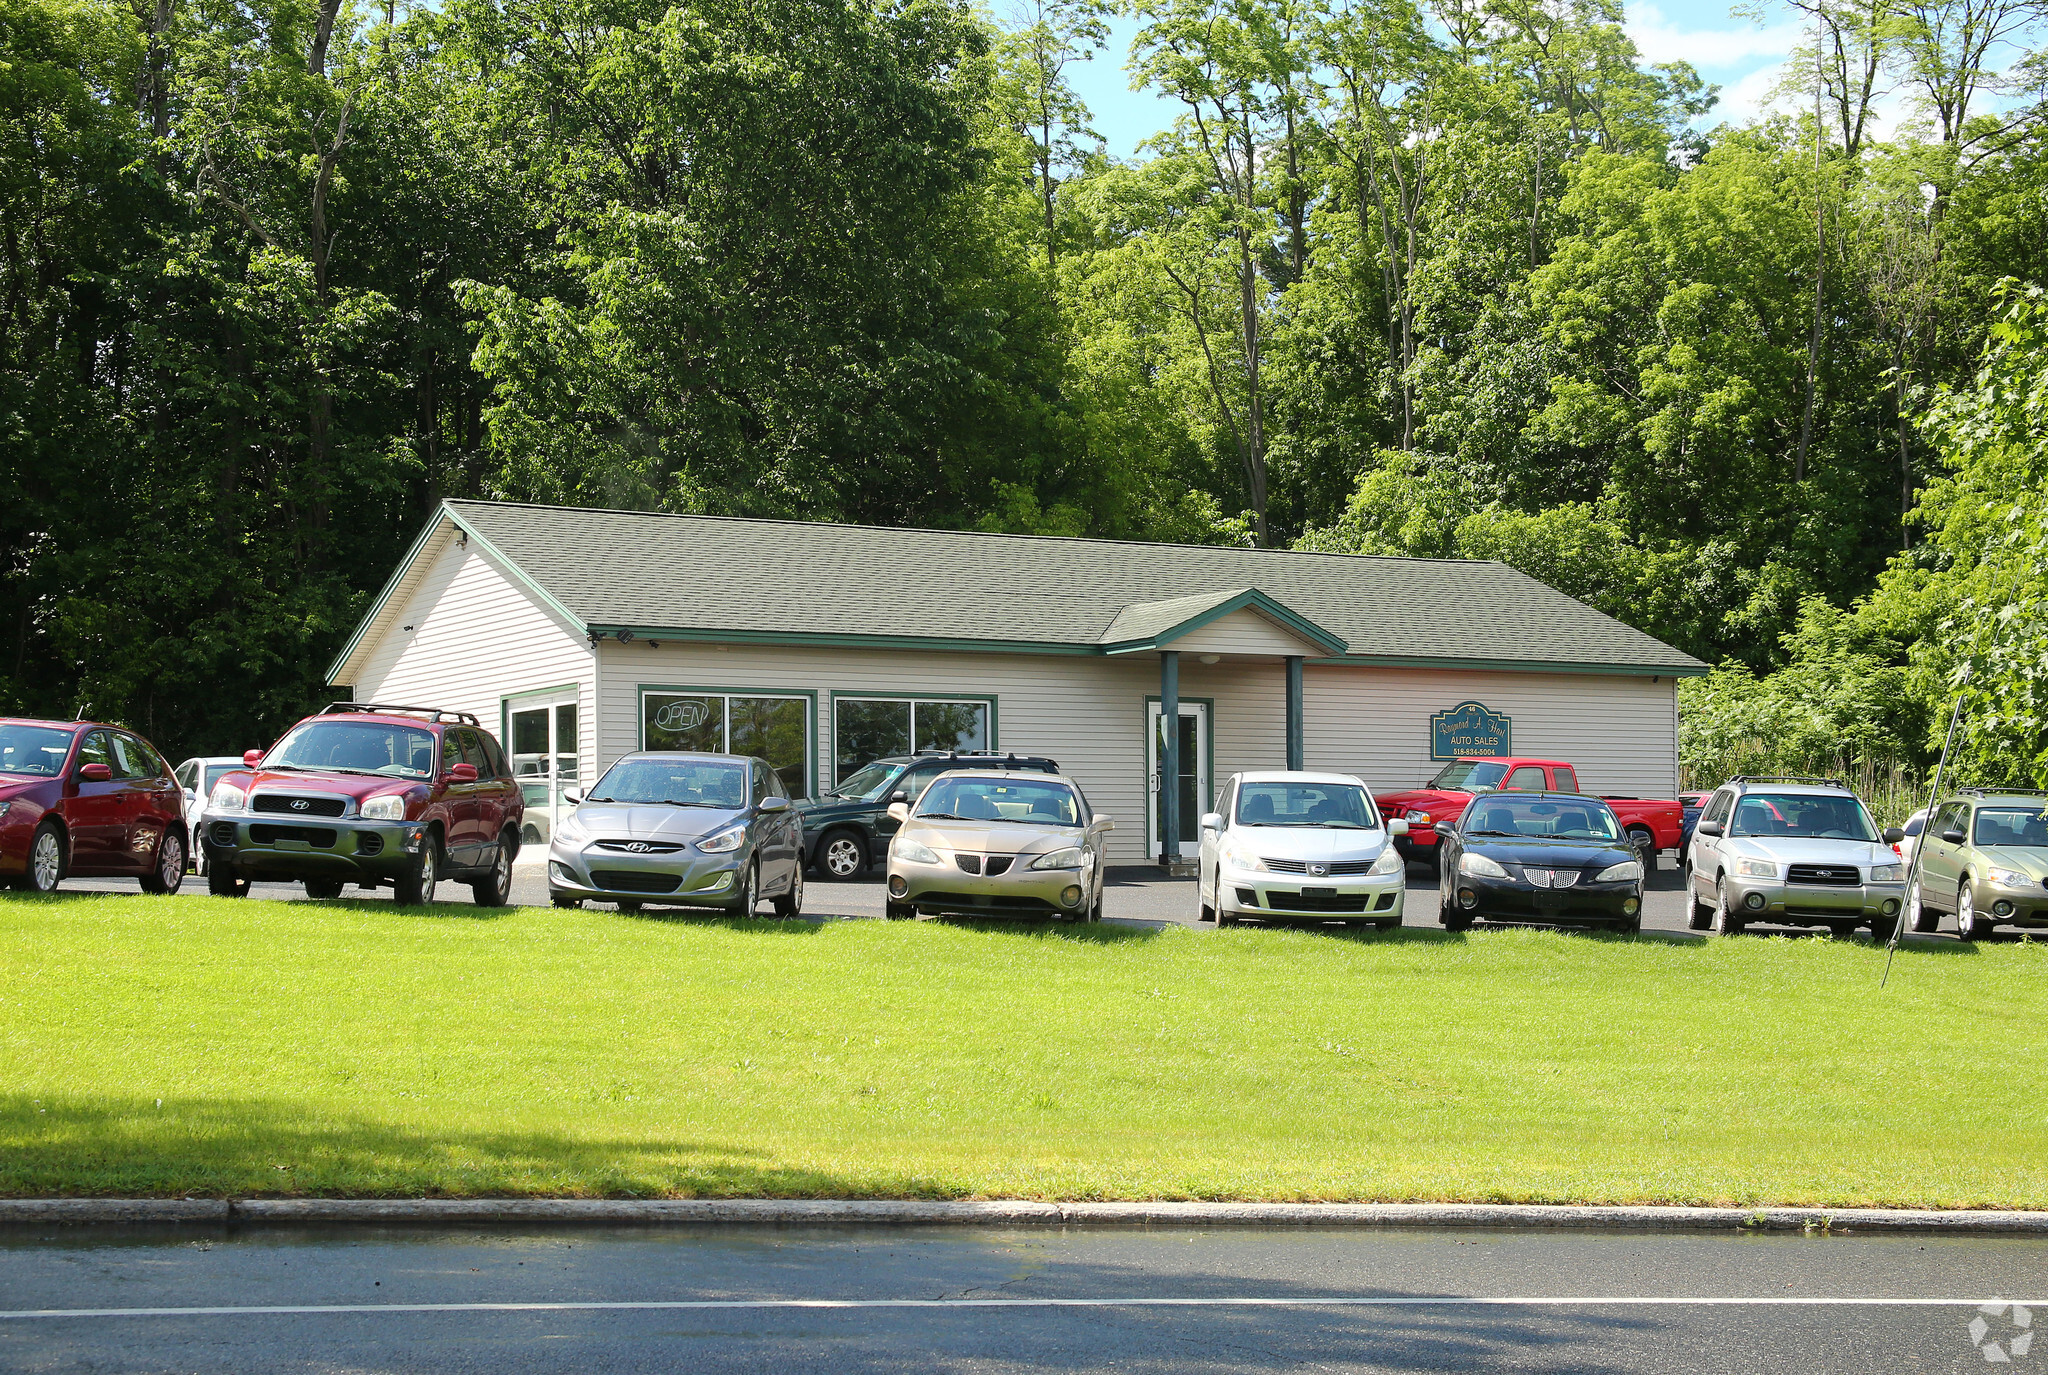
1009	1212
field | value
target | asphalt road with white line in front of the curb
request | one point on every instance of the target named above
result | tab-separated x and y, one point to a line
851	1300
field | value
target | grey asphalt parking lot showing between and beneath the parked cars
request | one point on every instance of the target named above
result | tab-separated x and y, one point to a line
1136	894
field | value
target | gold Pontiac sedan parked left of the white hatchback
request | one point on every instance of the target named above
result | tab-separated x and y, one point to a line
994	843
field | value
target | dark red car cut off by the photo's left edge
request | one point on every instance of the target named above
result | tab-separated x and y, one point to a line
87	800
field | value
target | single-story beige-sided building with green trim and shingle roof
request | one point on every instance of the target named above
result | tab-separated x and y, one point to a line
589	634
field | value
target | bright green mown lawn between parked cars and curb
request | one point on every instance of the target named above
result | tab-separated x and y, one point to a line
261	1048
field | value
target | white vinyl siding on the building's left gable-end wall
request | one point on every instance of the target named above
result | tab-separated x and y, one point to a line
476	638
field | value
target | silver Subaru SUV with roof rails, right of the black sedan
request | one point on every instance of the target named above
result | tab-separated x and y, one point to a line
1793	853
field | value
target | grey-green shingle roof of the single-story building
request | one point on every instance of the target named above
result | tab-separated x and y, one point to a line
736	579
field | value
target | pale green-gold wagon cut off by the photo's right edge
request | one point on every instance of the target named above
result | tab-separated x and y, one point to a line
1986	860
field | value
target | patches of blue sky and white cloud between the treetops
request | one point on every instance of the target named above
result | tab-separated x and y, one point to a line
1736	54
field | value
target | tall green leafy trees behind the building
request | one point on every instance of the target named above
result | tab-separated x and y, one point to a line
1451	278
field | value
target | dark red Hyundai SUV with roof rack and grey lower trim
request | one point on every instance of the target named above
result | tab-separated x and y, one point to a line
372	796
